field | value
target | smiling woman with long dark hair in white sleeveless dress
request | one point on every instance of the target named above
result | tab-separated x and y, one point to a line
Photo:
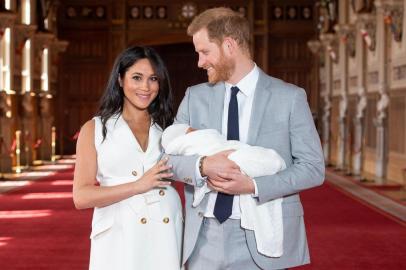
137	220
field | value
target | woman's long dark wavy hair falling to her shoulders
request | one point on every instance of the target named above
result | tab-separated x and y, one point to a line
160	109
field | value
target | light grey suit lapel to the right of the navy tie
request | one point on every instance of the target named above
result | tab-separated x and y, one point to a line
262	97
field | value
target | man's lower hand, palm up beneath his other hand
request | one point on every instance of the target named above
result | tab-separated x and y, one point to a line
236	183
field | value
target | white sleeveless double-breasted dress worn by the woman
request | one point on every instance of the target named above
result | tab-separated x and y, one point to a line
143	231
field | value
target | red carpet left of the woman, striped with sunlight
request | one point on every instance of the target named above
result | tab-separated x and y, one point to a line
42	230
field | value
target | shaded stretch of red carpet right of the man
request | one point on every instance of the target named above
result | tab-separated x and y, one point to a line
345	234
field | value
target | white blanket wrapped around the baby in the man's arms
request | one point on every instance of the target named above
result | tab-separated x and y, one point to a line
264	219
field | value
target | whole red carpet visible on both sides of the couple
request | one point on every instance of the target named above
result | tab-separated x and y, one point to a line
40	229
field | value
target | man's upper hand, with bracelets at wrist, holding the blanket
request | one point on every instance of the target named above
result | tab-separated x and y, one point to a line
217	163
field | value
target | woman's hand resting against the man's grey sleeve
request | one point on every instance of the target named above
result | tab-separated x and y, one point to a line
153	178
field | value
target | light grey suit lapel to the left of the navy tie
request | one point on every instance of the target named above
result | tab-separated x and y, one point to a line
216	106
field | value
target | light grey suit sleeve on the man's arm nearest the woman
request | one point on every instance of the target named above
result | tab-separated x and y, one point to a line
184	167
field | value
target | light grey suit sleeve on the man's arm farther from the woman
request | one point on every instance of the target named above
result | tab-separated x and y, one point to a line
307	169
